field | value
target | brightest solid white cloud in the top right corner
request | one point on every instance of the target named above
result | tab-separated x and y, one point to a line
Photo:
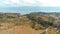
52	3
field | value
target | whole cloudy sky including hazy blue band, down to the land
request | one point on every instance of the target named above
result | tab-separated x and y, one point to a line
23	6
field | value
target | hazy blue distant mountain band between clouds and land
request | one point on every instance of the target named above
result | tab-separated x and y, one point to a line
29	8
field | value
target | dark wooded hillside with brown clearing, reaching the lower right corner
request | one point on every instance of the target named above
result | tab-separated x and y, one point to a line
44	22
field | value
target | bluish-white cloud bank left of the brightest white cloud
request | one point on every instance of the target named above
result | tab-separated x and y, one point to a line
18	3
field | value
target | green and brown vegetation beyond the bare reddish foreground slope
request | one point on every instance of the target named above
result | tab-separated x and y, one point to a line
35	21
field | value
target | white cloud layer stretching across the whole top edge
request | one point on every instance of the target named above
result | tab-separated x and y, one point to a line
18	3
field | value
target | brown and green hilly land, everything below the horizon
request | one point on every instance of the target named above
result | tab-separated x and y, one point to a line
36	21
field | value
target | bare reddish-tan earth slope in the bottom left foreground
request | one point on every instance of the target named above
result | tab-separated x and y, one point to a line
21	30
